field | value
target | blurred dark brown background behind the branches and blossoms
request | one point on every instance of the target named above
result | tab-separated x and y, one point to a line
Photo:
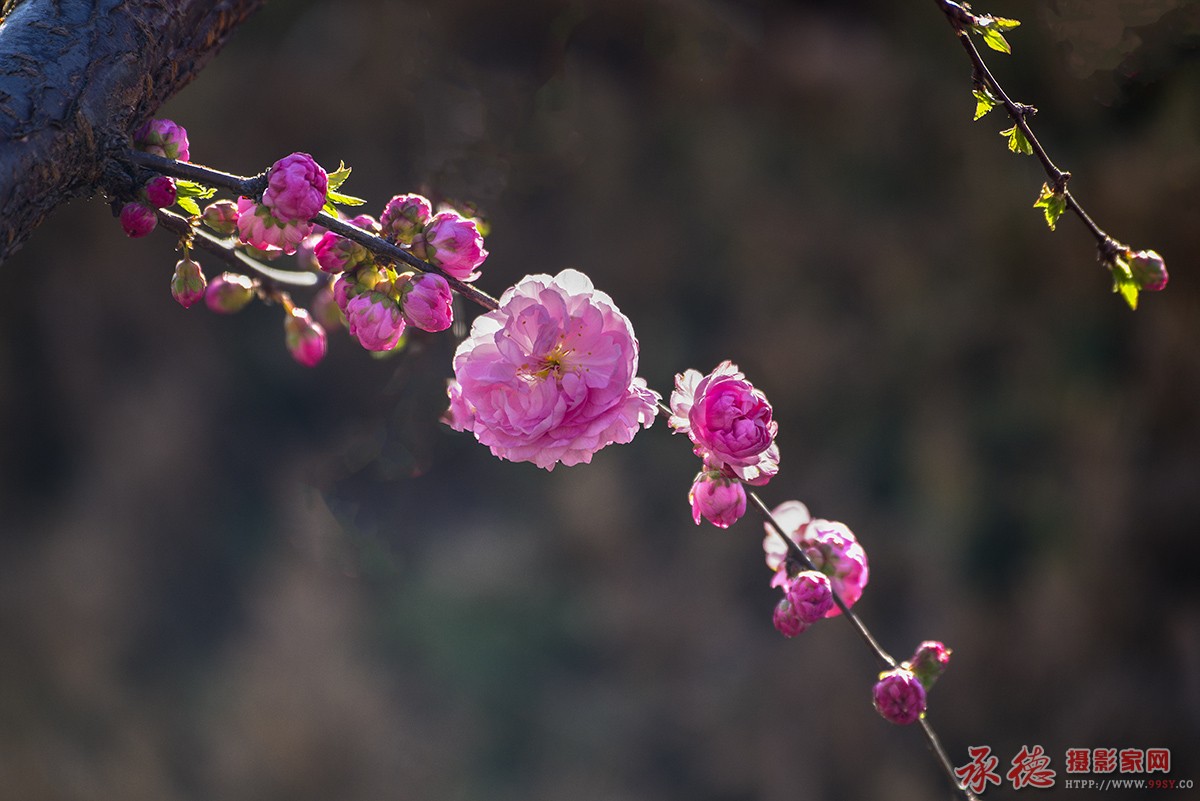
224	576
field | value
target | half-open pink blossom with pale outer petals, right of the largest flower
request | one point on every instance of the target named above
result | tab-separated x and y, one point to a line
729	421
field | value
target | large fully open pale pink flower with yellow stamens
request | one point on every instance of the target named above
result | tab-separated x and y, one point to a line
550	377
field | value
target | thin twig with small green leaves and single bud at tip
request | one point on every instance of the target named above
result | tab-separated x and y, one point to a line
1132	272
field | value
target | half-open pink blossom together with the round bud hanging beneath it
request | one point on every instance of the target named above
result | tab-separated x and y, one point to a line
731	427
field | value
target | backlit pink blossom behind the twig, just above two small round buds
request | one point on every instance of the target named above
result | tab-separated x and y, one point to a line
831	547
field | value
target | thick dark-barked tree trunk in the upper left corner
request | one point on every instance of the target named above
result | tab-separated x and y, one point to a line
77	77
